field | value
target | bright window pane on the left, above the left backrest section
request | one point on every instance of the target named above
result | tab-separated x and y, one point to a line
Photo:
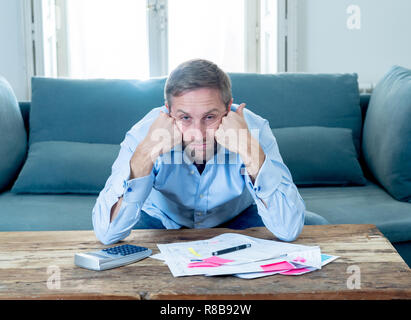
107	39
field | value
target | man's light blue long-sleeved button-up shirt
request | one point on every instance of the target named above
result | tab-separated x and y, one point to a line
179	196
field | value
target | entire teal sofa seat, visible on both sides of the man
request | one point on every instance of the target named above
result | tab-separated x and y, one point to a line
368	204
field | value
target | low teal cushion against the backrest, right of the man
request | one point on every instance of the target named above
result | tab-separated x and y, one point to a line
320	155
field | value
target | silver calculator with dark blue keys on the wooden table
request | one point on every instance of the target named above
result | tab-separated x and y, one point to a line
111	257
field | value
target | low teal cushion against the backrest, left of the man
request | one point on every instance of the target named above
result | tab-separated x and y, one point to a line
66	167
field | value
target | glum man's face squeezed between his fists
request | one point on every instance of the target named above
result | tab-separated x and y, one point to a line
198	114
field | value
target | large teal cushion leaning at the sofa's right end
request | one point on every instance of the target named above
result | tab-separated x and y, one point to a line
387	133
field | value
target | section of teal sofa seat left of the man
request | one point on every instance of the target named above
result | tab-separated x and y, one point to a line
30	212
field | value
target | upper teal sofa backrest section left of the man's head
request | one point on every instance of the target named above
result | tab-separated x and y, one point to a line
90	111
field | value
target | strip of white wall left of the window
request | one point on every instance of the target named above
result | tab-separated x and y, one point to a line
12	51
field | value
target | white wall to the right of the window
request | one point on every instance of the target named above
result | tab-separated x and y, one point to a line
325	44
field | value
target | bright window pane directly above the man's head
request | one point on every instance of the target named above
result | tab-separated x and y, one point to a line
212	29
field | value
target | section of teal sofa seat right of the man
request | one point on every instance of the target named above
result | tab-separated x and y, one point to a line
369	204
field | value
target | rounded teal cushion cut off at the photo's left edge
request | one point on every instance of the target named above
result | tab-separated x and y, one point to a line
13	138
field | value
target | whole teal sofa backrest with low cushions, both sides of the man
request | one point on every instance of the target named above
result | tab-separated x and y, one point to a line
316	118
